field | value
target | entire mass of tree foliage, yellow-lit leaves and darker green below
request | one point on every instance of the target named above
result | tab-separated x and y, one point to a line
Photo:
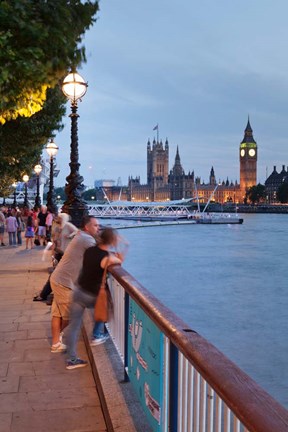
40	41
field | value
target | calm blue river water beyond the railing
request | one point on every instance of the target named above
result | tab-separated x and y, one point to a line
229	283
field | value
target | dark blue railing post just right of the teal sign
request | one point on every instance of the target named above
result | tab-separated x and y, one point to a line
173	389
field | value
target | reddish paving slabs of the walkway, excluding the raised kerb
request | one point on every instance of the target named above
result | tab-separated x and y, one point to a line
37	393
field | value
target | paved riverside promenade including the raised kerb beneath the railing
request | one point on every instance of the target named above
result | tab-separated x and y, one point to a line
37	393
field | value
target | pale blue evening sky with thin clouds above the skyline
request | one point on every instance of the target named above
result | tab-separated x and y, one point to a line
198	70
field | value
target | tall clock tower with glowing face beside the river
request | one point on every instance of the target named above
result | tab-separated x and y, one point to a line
248	160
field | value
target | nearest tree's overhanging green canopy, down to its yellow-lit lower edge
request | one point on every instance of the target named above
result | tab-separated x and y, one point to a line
39	41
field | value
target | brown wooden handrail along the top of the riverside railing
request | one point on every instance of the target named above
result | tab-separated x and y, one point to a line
252	405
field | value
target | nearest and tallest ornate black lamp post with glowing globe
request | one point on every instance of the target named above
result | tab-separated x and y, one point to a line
74	88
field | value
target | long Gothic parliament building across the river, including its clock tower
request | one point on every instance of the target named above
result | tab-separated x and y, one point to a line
165	185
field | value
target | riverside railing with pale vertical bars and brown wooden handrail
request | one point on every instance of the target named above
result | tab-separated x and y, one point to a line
202	390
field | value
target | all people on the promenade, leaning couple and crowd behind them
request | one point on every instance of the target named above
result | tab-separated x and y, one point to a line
80	258
